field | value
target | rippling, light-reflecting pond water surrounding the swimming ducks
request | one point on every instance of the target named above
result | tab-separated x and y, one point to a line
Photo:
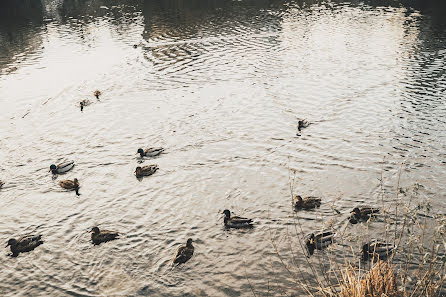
220	85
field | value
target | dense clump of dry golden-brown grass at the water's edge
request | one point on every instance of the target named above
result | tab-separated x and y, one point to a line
379	281
